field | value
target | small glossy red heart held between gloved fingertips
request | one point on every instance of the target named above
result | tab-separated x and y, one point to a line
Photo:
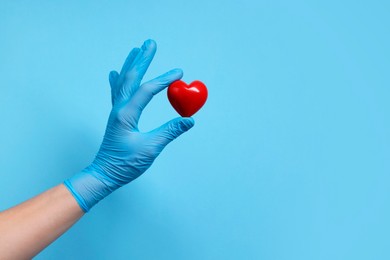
187	99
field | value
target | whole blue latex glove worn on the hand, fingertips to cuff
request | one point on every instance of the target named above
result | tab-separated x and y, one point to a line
126	153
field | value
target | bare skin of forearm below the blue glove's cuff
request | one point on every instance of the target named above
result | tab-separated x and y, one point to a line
28	228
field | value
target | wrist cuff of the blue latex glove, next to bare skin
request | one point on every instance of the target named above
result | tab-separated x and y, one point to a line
88	187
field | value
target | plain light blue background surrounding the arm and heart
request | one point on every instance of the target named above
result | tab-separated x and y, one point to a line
289	158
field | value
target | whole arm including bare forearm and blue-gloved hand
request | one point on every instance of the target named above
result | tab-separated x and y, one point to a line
125	154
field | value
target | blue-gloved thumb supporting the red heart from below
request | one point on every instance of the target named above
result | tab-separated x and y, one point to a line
173	129
